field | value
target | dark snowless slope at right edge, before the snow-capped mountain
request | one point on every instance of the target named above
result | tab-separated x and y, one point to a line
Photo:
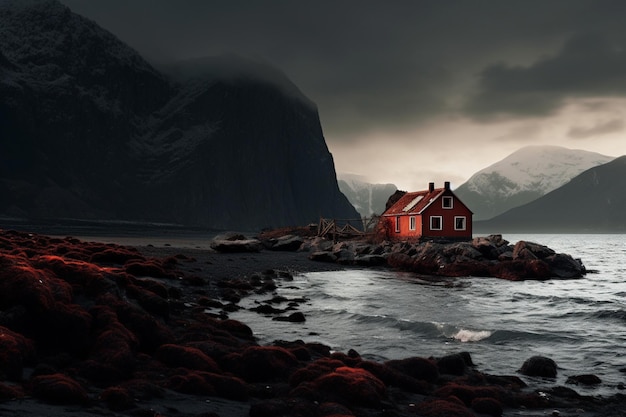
592	202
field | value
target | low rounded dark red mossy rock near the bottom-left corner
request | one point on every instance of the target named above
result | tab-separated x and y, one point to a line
58	389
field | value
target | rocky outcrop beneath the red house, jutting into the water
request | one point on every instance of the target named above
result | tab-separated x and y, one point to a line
488	256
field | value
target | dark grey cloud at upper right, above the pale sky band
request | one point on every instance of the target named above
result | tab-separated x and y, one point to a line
588	65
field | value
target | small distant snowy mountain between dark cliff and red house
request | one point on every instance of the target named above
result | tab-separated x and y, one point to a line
366	198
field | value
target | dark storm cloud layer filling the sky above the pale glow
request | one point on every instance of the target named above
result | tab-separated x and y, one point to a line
378	65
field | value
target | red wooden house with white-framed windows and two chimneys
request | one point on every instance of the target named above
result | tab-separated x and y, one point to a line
433	213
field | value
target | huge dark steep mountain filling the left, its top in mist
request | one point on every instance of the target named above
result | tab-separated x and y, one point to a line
90	130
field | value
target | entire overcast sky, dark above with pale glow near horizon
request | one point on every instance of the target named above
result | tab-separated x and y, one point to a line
414	91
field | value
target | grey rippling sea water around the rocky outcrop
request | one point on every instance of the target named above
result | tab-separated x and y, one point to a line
382	314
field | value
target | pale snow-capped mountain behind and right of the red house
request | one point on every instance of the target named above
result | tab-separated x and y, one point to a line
524	176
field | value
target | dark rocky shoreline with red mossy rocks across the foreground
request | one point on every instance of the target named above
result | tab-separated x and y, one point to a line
97	328
